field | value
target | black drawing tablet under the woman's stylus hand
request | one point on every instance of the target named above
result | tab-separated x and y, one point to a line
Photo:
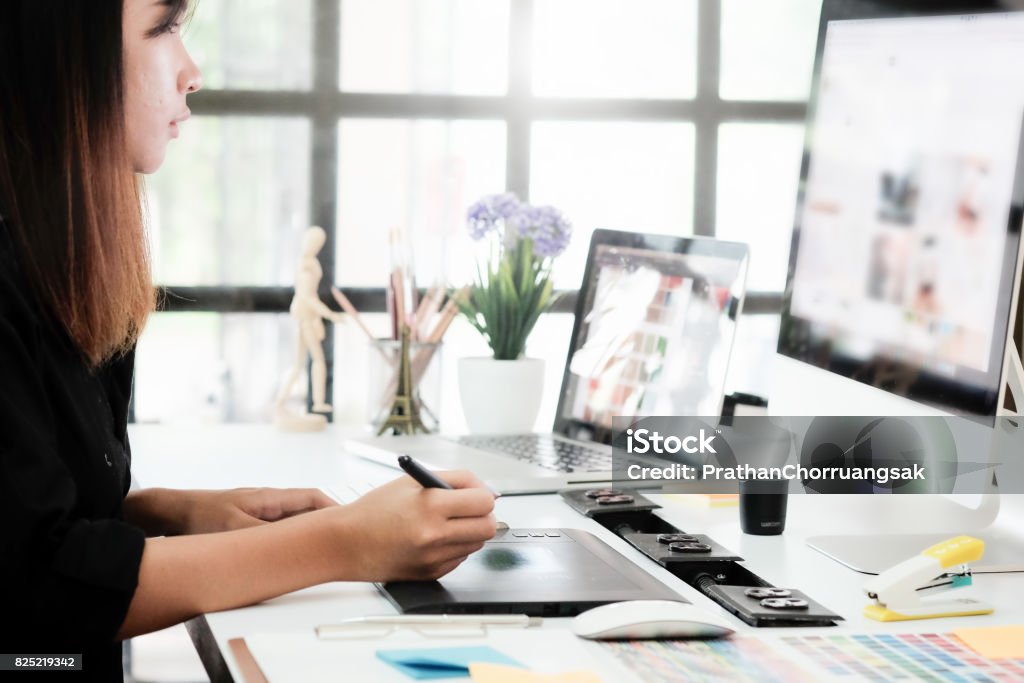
541	573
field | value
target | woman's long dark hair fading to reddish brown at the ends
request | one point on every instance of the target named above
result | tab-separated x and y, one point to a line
68	192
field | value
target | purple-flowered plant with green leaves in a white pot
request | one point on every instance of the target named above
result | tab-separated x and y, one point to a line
502	394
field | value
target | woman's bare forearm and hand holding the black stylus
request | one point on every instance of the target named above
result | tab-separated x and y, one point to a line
397	532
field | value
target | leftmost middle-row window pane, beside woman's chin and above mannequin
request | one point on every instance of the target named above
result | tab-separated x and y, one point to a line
232	201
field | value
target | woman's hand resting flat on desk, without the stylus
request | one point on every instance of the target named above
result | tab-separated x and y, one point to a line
209	511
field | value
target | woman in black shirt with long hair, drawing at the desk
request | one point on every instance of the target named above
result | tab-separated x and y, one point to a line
92	95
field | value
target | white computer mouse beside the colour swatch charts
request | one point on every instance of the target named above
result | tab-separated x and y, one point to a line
646	620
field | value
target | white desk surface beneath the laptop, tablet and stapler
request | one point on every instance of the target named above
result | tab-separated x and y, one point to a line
225	457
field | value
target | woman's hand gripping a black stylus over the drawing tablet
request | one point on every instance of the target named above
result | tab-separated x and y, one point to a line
402	531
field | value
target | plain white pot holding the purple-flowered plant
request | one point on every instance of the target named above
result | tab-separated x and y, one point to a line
501	397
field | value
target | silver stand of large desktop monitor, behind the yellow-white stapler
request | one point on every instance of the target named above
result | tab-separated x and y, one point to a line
992	521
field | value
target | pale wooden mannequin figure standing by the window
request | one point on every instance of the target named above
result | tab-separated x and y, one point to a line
310	313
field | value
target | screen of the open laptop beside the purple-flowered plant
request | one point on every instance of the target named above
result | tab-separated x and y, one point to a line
656	322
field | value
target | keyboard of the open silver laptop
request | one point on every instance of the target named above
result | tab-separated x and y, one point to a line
543	451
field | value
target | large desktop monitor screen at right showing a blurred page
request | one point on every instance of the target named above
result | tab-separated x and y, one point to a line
908	230
